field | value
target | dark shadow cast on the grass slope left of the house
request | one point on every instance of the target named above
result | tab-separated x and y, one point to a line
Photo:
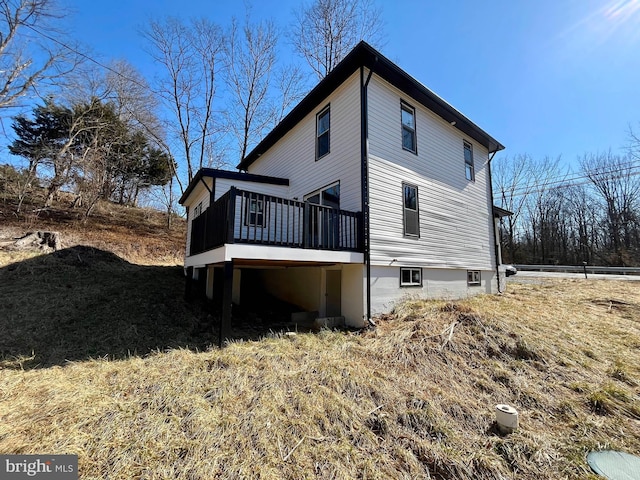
81	303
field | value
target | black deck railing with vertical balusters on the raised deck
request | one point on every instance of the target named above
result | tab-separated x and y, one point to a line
240	216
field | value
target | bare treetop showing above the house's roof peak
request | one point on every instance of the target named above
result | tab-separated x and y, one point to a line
326	30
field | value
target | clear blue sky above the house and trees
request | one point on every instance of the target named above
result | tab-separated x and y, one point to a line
544	77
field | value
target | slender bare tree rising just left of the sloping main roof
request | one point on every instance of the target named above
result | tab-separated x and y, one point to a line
251	56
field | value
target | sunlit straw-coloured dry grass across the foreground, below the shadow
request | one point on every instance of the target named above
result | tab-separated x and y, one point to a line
413	398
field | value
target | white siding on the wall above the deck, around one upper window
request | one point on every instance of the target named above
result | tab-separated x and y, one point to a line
293	156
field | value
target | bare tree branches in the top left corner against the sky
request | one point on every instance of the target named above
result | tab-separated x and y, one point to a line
31	52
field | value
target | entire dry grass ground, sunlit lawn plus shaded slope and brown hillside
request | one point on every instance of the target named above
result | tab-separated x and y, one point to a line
99	357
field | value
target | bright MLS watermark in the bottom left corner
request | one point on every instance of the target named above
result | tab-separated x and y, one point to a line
50	467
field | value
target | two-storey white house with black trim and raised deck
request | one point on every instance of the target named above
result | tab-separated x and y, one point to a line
371	189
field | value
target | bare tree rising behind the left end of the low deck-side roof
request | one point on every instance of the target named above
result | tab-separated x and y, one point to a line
190	54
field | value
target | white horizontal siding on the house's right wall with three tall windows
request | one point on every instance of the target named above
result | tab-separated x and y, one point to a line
455	213
